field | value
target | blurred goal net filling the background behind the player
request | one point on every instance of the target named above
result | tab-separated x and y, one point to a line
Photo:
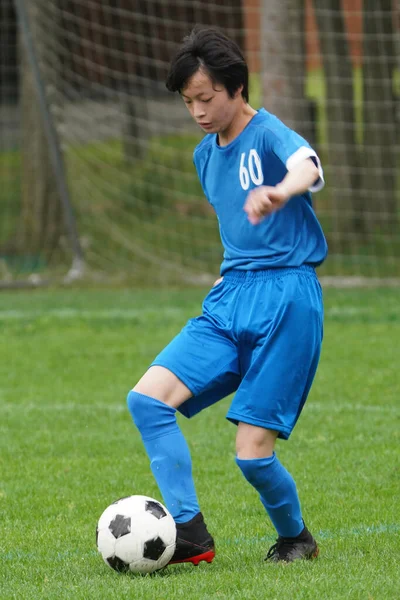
96	155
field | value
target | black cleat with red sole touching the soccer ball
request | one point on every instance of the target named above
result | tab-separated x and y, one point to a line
193	542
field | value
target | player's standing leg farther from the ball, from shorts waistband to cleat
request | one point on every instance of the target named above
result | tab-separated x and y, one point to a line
279	371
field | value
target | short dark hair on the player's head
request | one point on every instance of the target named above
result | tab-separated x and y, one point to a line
221	58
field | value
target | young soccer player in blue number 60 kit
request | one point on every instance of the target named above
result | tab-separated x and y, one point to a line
260	331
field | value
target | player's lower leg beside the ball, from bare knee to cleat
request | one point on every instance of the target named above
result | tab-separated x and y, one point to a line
170	462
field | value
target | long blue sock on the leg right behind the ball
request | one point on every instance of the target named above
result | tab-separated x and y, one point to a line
168	452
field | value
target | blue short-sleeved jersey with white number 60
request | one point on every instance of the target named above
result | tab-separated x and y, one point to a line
261	154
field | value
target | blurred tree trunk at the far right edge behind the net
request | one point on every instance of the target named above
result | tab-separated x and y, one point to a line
380	139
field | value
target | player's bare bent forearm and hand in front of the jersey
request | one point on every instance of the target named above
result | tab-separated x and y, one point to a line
264	200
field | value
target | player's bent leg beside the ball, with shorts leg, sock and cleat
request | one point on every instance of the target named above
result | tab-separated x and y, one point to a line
198	368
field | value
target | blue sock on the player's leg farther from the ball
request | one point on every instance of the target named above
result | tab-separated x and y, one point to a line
277	491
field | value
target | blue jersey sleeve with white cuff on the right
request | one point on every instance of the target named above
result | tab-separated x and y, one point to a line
292	149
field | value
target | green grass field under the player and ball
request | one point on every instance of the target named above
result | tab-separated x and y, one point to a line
68	449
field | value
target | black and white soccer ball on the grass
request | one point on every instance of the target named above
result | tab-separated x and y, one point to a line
137	534
